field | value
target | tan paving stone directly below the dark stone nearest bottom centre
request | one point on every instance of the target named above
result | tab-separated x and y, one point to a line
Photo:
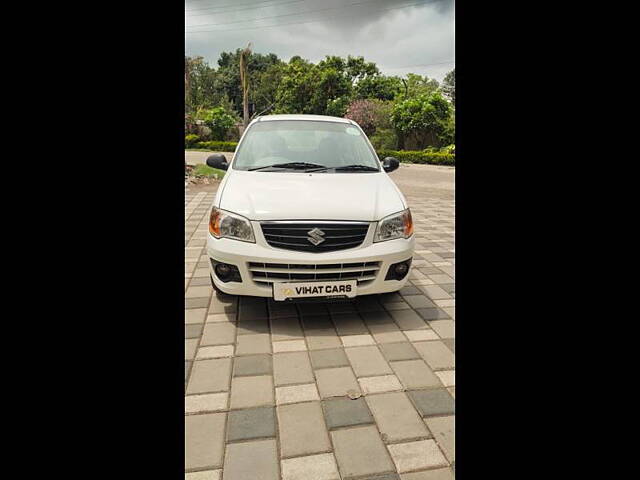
360	451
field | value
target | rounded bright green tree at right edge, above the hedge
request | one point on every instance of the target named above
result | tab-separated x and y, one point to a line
423	119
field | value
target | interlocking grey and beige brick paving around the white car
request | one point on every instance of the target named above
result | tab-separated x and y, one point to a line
268	384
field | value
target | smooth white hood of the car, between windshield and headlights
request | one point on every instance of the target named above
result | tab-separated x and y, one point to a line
310	196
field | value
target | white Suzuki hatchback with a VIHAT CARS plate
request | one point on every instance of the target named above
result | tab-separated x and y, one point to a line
306	209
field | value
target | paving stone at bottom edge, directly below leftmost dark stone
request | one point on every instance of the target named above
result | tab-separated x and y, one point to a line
263	464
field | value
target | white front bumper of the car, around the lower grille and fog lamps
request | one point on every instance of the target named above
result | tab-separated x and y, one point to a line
242	254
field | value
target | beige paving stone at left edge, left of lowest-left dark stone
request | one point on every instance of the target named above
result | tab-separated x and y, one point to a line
204	440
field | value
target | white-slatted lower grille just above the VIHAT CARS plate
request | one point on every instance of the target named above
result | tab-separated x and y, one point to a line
268	273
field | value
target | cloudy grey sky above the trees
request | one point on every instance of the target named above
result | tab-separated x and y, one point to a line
400	36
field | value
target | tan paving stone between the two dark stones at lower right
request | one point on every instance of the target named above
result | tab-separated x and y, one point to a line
396	417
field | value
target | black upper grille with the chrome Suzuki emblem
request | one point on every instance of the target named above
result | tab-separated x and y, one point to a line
296	235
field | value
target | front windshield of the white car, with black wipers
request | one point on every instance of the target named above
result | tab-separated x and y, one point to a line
304	145
